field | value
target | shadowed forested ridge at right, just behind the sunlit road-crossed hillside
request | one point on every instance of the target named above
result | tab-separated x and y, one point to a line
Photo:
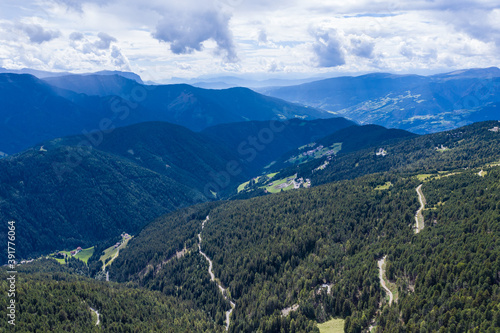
467	147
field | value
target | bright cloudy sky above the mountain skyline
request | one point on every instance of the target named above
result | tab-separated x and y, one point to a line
161	39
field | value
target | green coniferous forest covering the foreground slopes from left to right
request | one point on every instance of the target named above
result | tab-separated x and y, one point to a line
291	260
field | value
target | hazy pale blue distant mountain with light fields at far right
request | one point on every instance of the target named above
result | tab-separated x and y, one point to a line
420	104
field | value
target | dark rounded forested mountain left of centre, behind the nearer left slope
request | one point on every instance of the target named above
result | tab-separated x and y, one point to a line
171	150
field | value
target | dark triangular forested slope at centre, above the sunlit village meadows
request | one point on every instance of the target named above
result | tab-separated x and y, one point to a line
258	143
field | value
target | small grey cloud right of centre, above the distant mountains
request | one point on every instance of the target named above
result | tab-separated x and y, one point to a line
327	48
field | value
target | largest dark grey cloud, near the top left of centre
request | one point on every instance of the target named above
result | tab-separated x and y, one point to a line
187	30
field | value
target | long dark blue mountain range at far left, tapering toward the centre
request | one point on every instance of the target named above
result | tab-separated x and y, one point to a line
34	111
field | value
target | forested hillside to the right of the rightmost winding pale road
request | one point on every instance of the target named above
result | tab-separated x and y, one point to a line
448	277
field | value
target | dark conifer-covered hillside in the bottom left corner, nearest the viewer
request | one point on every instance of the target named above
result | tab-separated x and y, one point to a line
49	299
